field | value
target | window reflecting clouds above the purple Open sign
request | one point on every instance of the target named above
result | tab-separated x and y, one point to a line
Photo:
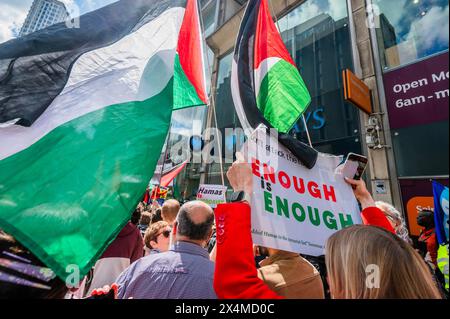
409	30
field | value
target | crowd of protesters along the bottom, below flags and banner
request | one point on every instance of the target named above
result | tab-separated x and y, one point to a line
191	251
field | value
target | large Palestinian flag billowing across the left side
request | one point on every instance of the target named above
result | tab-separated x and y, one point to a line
84	114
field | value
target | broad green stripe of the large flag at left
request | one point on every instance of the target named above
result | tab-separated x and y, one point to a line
68	195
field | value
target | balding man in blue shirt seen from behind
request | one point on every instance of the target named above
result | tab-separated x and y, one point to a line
183	272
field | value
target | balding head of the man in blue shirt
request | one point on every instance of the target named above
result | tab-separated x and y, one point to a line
195	221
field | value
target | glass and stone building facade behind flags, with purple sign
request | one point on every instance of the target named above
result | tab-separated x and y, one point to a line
393	46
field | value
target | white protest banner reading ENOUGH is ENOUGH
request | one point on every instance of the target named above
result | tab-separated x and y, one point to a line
294	208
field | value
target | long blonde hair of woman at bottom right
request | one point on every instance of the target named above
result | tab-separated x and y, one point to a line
355	254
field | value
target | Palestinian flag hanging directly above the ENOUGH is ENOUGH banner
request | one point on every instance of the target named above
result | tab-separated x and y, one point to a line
266	85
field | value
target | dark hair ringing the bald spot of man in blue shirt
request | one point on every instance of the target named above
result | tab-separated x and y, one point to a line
186	227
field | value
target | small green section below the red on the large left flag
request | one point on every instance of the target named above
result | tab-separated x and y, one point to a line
185	94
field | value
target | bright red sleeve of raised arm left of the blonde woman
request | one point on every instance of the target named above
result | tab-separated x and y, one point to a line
236	275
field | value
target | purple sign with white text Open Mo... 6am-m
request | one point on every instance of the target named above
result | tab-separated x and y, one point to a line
419	93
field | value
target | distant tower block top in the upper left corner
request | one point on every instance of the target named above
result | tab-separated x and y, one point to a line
42	14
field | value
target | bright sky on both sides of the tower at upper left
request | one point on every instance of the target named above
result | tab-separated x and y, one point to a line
14	12
